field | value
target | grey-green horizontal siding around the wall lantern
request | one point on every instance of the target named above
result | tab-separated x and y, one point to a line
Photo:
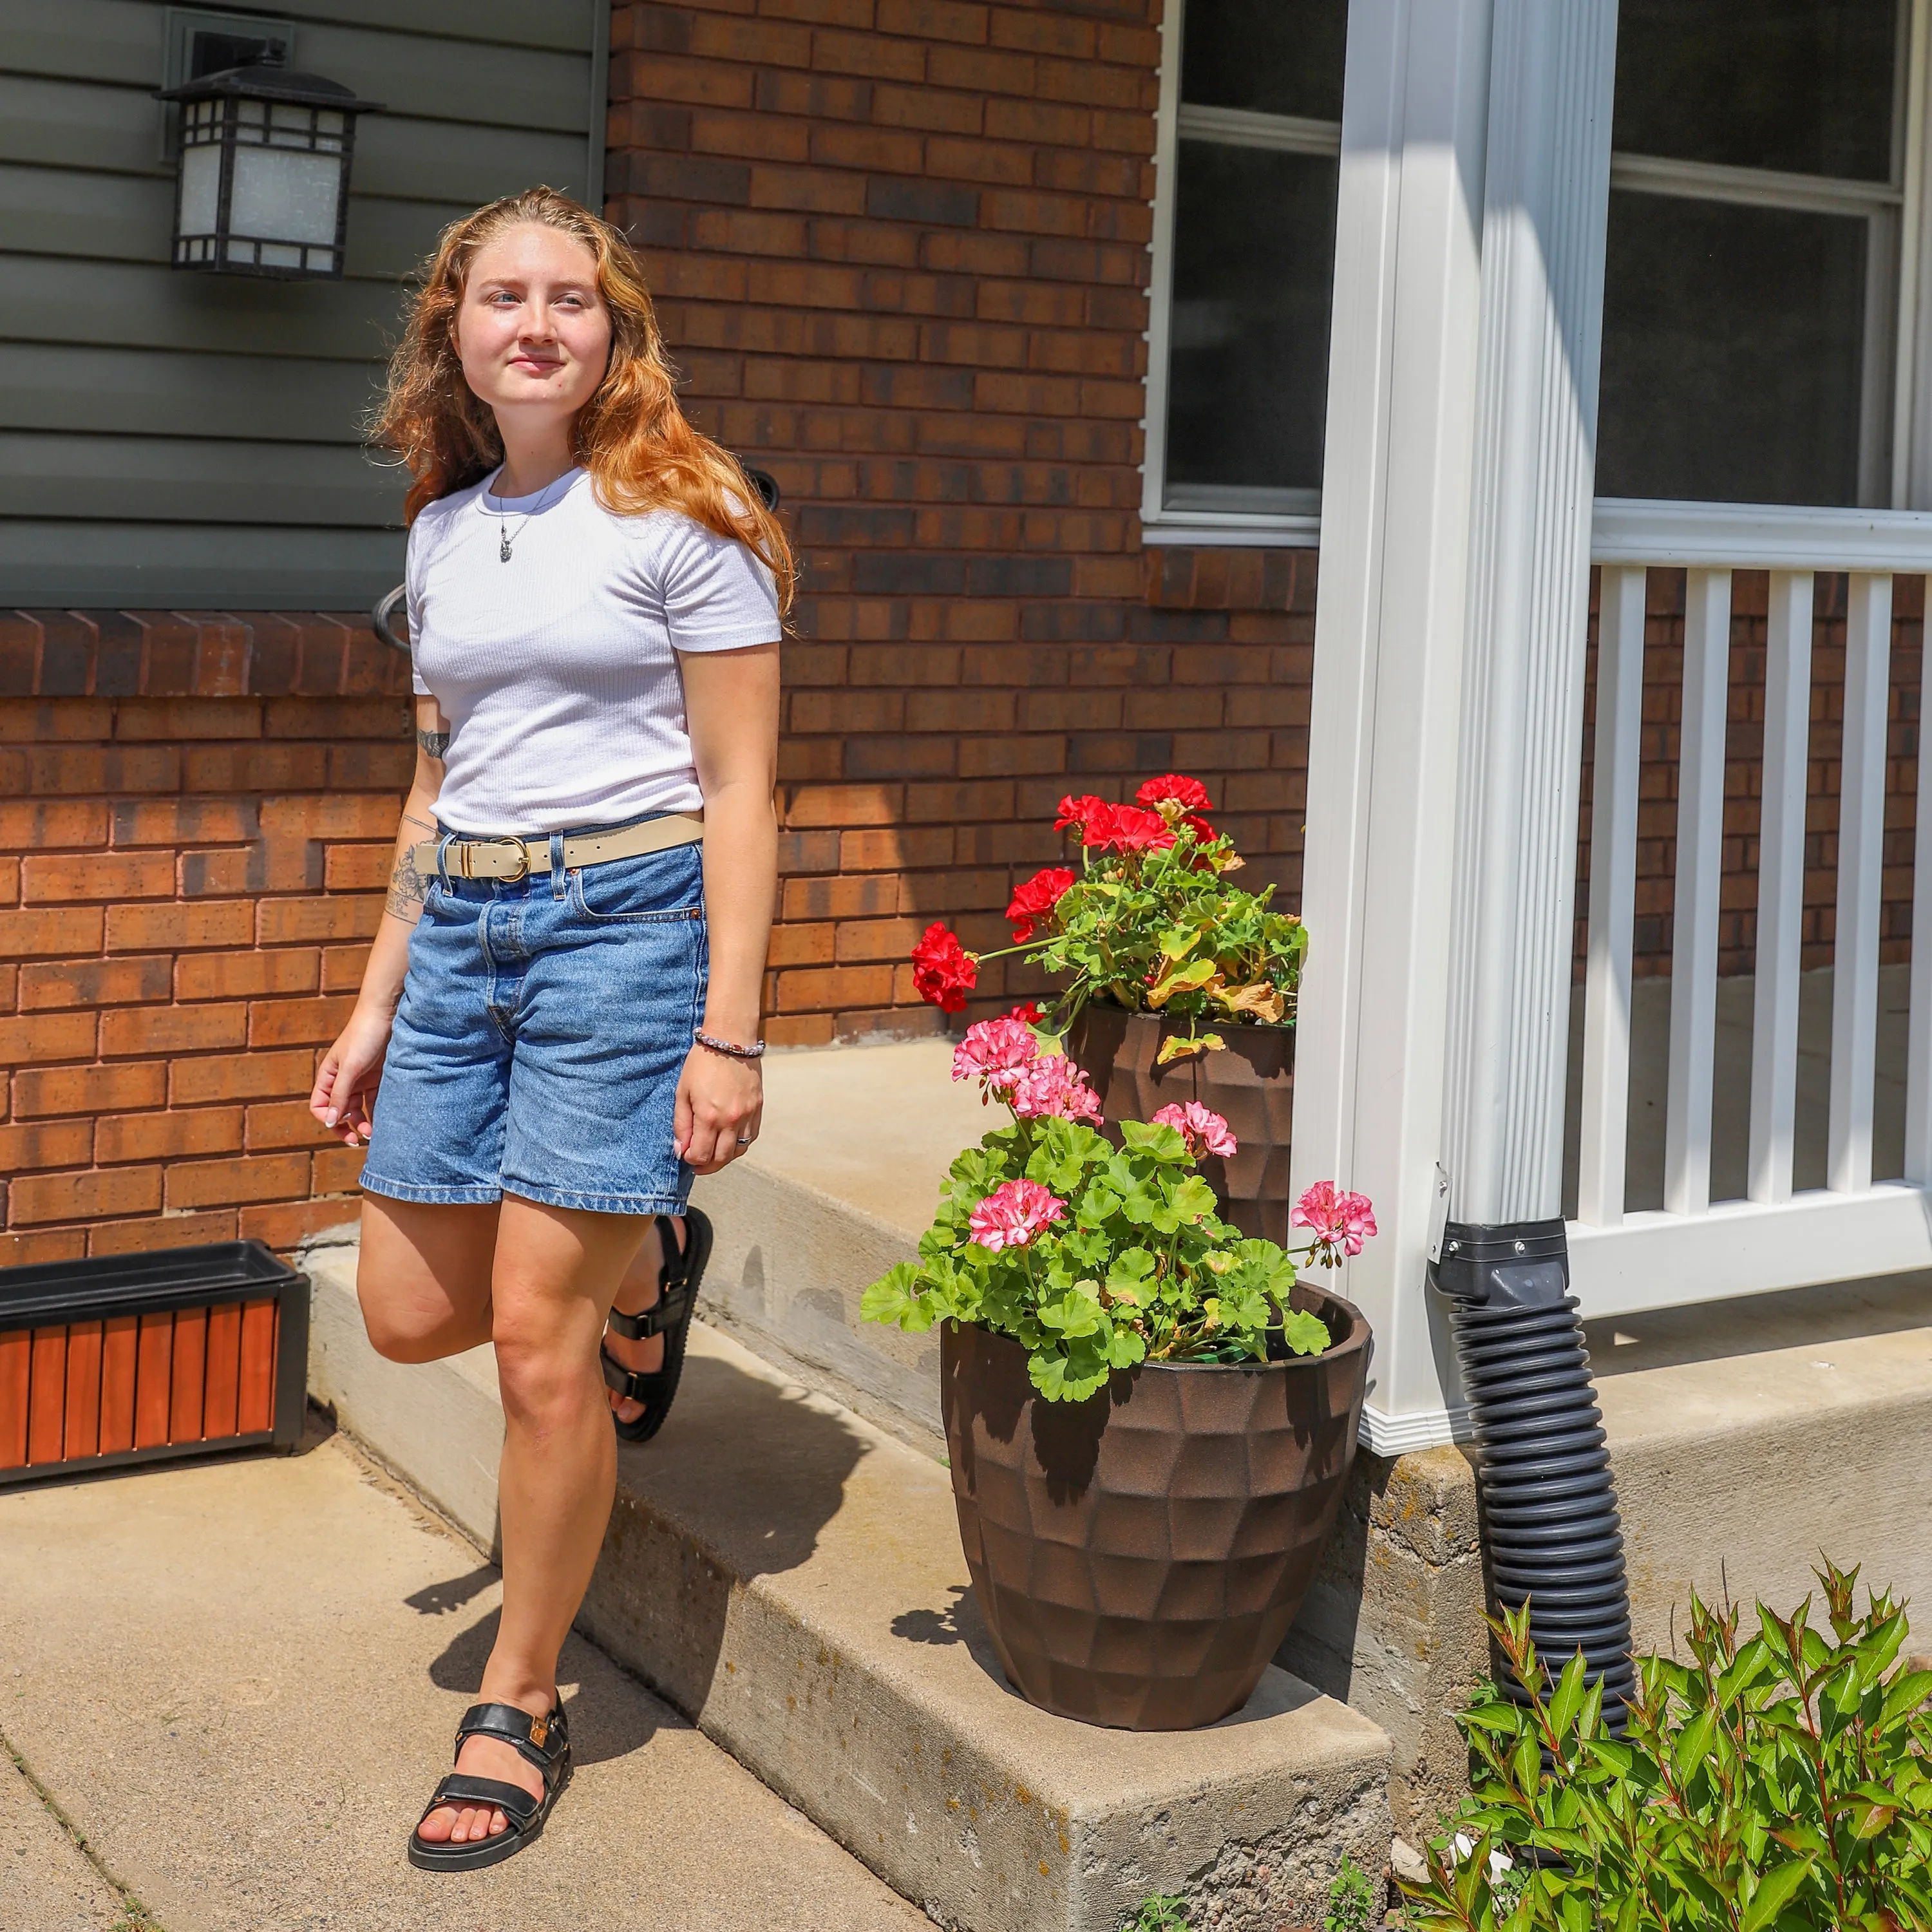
196	441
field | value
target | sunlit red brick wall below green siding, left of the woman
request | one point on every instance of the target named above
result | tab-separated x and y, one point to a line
186	892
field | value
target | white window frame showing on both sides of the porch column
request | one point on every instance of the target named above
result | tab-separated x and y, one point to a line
1900	320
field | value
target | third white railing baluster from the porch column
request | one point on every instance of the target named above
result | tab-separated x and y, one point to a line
1775	1033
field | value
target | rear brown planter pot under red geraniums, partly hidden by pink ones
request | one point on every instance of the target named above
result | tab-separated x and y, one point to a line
1249	1083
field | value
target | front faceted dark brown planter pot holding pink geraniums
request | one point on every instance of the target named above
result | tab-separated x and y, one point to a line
1141	1556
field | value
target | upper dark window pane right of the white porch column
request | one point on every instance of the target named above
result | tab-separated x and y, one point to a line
1800	86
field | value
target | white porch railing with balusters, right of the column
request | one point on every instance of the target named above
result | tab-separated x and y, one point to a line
1776	1236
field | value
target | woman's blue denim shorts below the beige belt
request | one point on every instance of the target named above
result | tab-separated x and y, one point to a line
540	1038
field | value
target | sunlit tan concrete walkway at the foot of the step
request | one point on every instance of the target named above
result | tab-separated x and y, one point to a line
241	1680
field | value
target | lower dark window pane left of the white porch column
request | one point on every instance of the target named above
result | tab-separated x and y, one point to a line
1255	260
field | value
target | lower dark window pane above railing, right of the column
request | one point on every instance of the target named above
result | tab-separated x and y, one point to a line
1734	345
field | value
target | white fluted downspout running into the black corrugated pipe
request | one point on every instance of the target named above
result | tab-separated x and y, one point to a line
1510	940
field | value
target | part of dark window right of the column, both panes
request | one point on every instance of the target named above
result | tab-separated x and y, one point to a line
1751	293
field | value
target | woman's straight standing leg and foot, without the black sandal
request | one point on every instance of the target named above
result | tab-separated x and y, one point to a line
552	1288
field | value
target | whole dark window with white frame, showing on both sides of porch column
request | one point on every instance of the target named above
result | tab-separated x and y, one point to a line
1755	341
